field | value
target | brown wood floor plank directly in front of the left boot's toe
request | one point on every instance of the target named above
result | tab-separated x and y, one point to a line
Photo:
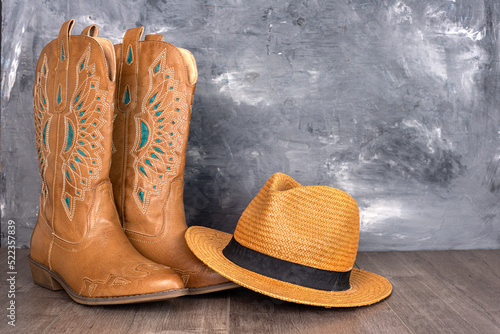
193	314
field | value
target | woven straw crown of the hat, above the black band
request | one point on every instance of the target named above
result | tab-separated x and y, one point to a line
316	226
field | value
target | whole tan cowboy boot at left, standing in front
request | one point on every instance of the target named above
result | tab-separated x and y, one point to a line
78	244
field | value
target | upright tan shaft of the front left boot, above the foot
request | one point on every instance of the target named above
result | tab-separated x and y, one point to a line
73	100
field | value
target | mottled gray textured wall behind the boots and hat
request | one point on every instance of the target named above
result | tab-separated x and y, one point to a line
395	102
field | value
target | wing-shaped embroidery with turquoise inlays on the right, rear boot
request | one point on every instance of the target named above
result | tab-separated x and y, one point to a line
164	111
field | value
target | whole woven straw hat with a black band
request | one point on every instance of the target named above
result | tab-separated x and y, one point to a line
294	243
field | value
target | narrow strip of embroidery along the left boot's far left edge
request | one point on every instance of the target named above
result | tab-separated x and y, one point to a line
42	123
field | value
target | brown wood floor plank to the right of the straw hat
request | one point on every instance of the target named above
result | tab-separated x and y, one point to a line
441	291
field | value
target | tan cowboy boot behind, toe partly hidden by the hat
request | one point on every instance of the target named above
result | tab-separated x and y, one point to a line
156	83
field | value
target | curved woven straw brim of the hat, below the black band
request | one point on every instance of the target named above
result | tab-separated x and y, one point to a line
366	287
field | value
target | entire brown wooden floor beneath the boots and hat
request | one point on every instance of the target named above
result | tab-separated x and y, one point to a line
434	292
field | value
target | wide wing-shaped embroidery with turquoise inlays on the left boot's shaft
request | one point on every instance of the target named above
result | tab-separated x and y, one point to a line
82	143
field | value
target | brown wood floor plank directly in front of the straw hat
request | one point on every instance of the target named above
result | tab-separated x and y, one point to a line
251	312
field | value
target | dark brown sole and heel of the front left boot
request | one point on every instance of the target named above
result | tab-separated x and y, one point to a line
49	279
